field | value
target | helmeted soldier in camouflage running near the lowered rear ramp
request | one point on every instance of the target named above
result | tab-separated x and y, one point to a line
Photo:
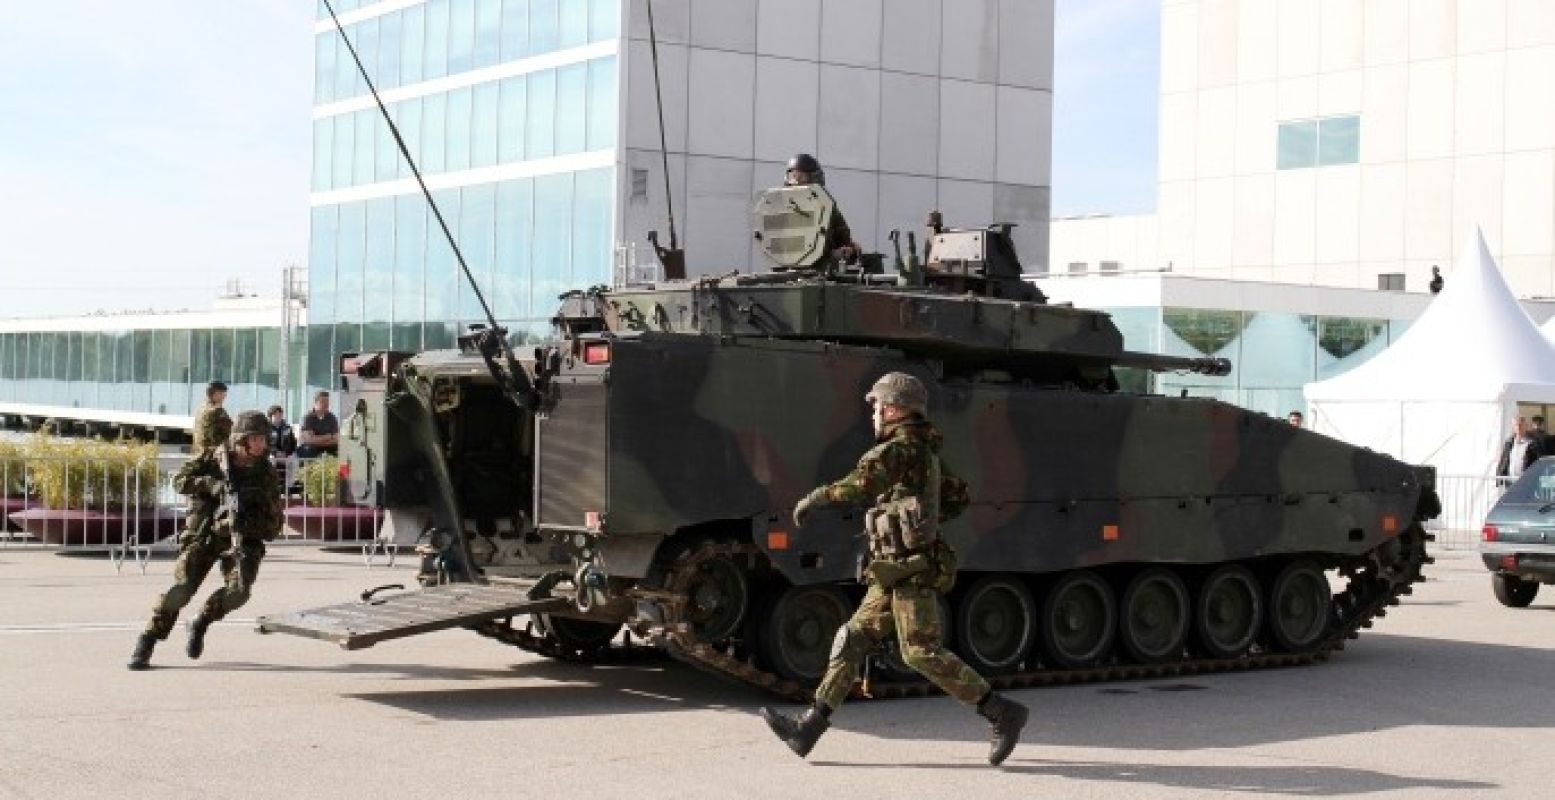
234	510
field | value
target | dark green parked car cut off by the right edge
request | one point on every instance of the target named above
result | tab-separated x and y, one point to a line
1518	541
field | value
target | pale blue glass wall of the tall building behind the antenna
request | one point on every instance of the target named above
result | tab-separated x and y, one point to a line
382	272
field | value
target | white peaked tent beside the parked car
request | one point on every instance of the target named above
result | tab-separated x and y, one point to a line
1447	391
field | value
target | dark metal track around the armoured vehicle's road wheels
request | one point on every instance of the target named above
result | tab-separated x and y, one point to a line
1377	581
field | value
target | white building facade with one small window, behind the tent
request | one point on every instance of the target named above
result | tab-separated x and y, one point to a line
1346	144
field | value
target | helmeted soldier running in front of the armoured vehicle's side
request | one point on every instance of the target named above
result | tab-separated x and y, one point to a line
909	572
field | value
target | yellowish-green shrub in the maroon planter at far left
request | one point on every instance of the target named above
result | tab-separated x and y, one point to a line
93	475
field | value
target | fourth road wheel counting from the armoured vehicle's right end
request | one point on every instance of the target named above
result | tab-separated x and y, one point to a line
1078	622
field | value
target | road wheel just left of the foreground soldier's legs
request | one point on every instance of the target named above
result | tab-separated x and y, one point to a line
798	631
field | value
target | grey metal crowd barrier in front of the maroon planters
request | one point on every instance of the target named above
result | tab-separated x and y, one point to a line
133	513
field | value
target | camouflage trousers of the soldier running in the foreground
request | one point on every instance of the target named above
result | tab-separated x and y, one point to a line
912	612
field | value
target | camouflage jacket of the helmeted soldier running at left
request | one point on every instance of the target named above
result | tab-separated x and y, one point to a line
257	489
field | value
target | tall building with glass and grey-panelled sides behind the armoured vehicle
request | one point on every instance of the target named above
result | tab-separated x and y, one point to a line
537	128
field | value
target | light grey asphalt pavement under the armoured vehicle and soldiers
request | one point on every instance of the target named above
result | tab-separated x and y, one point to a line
1448	696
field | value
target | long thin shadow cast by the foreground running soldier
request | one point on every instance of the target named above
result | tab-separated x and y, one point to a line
1298	781
